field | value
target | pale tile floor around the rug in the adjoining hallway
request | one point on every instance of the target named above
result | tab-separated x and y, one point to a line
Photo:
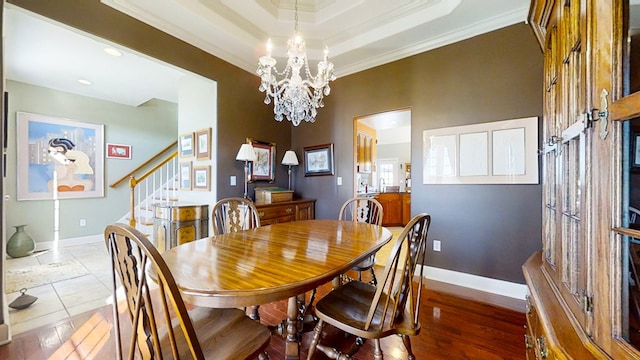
62	299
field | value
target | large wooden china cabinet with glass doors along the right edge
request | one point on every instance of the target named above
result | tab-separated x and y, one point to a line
583	291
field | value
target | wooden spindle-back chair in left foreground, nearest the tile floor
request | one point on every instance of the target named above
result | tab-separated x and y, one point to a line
161	327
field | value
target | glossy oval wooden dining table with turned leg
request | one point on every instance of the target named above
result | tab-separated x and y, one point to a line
271	263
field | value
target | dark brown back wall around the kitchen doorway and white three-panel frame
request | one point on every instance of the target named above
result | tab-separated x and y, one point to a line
487	230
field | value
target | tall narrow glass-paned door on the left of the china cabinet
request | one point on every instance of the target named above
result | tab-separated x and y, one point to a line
564	157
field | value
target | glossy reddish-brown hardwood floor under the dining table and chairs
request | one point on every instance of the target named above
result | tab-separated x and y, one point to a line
452	328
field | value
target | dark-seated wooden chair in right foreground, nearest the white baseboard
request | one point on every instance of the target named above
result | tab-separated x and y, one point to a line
370	312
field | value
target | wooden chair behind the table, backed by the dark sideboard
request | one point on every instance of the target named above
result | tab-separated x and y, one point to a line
234	214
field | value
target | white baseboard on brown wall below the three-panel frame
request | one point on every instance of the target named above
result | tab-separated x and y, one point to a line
489	285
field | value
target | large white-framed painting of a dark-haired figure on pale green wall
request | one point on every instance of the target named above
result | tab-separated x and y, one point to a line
59	158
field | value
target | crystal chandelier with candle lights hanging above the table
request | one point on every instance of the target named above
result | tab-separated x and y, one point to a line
293	97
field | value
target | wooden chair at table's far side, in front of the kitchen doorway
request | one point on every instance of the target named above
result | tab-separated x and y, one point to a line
368	210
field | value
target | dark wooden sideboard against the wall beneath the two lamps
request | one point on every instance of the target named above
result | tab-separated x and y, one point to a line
300	209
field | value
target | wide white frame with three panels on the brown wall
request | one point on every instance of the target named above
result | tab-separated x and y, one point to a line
499	152
